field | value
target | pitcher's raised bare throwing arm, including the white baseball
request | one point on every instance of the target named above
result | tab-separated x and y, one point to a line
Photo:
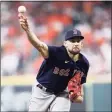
39	45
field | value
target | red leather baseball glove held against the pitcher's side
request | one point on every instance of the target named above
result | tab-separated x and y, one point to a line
74	86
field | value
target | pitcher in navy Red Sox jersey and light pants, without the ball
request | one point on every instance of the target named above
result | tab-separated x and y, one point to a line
60	79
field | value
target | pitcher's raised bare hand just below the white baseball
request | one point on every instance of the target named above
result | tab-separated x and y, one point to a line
23	22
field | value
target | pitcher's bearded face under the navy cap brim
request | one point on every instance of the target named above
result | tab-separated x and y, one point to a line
74	46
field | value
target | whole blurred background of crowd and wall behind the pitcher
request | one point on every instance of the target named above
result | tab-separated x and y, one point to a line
20	61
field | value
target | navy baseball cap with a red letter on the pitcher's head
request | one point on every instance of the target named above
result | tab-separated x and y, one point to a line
71	34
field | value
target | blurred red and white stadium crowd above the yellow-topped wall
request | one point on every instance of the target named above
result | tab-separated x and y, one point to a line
50	21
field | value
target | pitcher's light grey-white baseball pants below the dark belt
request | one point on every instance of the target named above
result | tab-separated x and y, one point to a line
44	101
